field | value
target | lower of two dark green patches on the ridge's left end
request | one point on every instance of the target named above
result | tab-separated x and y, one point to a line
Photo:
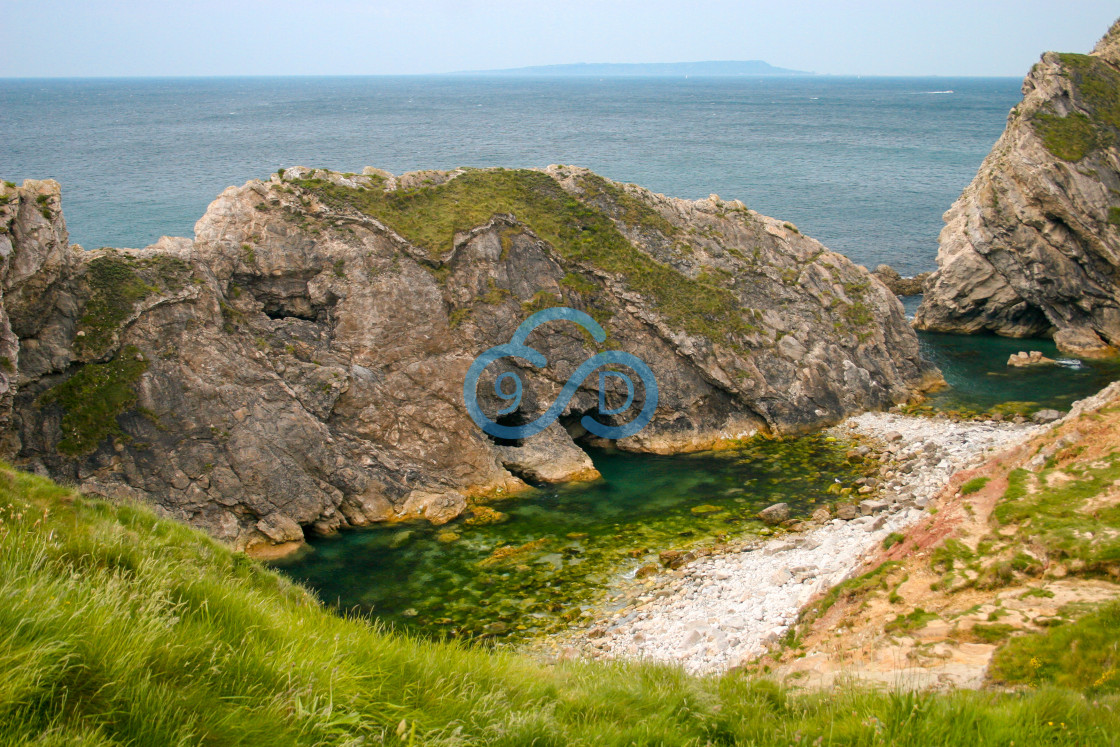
94	398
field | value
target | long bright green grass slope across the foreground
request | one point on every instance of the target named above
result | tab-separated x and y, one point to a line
119	628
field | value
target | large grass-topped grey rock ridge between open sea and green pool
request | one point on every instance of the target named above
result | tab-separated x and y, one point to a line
300	365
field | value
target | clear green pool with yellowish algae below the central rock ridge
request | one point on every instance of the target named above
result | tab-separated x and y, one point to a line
563	546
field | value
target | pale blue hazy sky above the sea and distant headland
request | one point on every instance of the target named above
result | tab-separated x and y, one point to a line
76	39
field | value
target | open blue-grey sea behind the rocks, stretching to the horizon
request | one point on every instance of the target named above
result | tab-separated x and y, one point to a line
865	165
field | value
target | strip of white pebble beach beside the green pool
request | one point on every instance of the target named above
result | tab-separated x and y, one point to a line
726	610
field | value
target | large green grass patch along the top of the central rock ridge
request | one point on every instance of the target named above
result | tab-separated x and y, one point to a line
583	232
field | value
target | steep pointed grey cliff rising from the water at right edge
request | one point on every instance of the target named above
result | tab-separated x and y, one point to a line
1032	248
